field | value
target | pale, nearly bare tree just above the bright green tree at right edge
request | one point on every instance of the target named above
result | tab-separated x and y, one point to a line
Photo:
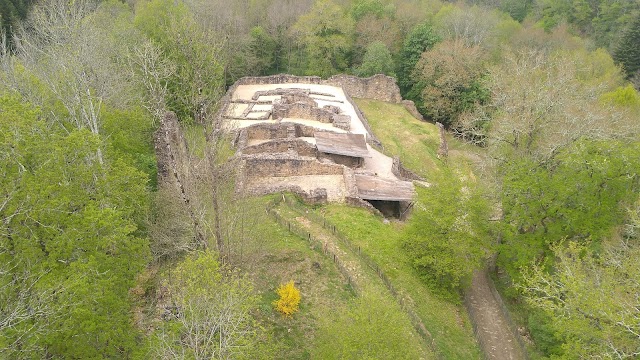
542	106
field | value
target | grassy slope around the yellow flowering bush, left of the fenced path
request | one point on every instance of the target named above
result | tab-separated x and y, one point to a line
276	256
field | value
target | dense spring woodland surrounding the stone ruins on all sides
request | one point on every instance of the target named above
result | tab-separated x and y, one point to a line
546	91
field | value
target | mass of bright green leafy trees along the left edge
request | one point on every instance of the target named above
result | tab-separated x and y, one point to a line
70	221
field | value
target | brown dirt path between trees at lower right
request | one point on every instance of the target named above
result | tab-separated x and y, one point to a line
493	332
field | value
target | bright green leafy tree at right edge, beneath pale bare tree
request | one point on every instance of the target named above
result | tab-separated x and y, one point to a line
577	197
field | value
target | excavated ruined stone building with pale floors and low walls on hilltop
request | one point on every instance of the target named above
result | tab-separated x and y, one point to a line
307	136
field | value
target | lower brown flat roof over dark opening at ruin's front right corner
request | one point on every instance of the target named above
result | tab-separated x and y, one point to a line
375	188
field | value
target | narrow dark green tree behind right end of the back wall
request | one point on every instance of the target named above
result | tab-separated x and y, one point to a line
421	38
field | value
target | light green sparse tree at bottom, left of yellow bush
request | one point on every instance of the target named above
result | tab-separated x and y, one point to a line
213	317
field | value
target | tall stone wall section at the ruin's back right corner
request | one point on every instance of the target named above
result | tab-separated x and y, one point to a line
378	87
